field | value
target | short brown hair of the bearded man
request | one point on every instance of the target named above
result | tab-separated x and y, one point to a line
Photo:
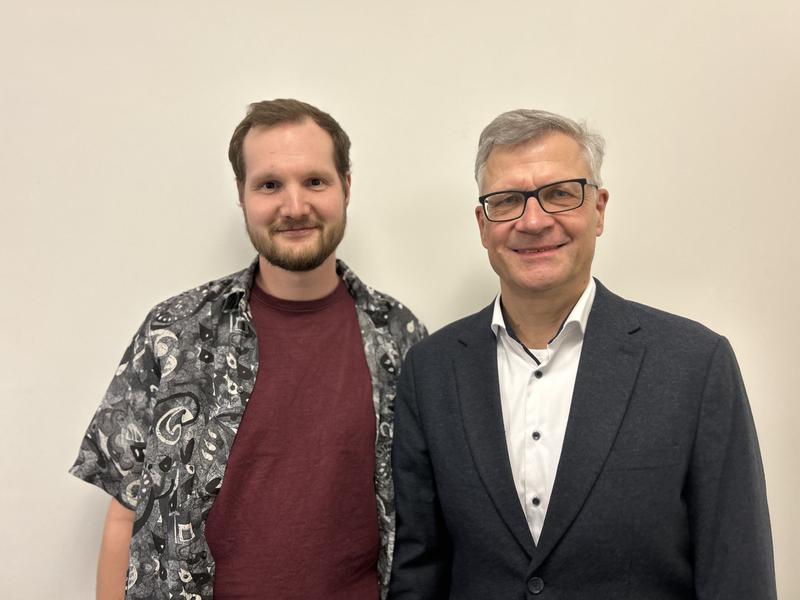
268	113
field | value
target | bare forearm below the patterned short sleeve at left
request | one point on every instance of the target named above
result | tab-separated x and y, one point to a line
112	566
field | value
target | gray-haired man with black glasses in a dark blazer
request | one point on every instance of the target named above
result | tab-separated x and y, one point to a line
564	442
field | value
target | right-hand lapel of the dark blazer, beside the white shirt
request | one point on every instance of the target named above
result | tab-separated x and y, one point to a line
609	365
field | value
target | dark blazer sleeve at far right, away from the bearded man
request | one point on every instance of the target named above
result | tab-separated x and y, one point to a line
726	491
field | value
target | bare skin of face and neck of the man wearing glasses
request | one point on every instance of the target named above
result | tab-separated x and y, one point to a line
539	289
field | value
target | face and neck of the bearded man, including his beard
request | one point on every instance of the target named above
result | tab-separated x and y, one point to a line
294	204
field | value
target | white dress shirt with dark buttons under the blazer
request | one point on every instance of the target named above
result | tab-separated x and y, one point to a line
536	394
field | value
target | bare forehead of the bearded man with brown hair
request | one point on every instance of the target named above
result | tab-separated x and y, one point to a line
288	147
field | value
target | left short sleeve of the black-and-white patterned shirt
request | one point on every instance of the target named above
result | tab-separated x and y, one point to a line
113	449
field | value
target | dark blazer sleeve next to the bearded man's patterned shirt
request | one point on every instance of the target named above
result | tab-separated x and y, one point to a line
422	553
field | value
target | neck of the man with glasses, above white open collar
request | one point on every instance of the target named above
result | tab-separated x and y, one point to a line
536	318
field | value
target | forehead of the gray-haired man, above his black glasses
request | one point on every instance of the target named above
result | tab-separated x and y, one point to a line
534	163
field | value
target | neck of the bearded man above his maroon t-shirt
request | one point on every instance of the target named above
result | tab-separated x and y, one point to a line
297	285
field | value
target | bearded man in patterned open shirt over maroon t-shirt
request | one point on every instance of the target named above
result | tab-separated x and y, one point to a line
295	360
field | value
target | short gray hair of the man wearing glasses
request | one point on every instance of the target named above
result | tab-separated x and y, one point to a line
516	127
